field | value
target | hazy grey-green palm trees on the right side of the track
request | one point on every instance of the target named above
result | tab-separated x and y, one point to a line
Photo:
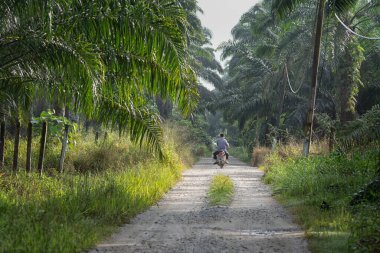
276	62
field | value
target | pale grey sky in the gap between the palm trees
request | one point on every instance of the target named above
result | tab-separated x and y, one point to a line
220	16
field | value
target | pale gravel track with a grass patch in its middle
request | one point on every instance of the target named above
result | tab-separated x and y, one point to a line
183	222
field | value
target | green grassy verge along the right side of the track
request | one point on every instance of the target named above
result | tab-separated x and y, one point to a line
319	189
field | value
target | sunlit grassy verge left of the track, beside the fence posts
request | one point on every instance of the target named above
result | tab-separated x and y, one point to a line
104	186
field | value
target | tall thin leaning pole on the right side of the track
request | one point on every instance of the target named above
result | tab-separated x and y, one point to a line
308	129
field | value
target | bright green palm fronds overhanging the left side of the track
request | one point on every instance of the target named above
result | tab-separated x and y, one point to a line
106	60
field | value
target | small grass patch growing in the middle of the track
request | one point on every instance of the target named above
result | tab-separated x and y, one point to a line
221	190
